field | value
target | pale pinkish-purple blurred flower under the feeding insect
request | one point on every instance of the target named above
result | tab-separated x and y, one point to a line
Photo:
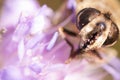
31	47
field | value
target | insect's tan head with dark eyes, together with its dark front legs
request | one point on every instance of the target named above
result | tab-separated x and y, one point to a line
96	30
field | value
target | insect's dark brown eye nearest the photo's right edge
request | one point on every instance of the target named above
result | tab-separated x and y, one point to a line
113	35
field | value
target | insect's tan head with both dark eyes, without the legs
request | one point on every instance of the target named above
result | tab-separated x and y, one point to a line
96	28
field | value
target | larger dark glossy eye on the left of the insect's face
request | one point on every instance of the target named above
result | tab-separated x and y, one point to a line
85	16
